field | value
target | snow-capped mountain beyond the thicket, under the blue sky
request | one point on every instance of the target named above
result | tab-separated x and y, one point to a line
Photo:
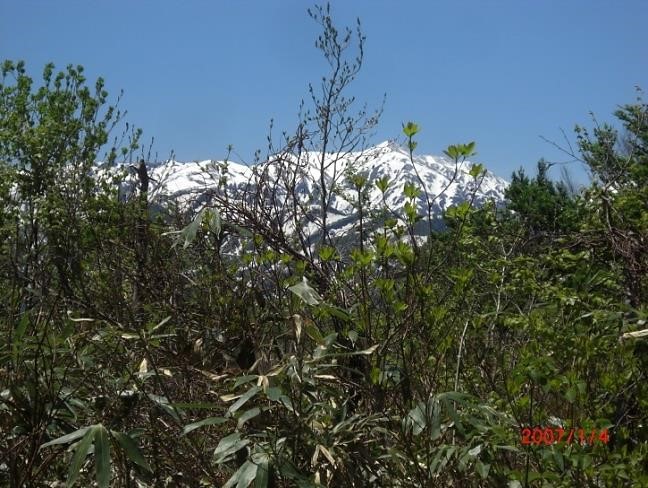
269	184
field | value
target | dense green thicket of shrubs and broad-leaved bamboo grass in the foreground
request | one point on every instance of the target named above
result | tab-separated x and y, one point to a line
137	352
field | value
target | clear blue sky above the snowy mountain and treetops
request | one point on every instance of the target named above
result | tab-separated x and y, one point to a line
199	75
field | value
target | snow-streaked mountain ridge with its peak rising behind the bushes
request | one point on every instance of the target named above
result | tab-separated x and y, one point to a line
446	184
